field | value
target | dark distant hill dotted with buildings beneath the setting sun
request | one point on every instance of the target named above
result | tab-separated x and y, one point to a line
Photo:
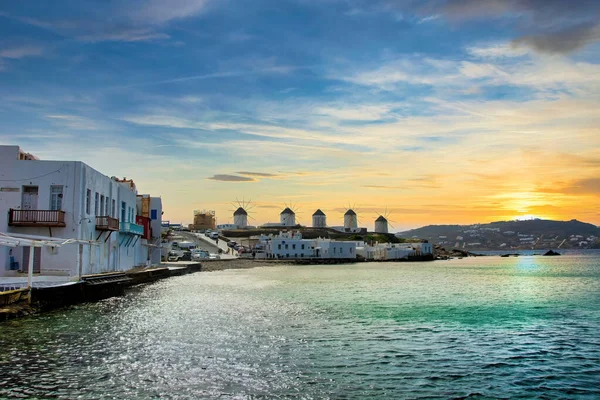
528	234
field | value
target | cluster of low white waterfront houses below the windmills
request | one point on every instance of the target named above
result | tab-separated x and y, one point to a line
291	245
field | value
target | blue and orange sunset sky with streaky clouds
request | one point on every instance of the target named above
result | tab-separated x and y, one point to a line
432	112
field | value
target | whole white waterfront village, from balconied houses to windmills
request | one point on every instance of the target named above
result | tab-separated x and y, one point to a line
64	220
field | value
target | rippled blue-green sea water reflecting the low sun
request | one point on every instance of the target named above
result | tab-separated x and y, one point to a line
478	327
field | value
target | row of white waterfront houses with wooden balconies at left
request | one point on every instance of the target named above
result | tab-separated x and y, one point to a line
116	228
